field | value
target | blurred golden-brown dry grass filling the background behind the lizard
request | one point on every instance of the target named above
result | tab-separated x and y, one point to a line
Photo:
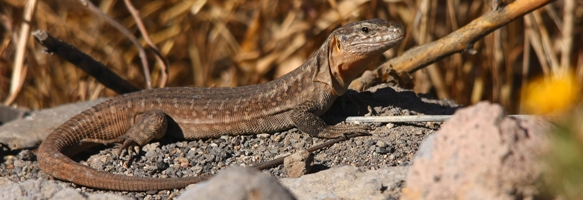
235	42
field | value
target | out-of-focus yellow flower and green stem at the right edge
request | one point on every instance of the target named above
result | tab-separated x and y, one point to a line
559	100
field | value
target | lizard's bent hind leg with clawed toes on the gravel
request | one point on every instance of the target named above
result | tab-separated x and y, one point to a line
147	126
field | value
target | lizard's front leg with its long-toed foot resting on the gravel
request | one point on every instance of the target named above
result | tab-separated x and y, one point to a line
306	121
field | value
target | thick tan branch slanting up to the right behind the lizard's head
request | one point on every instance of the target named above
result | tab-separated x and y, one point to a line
458	41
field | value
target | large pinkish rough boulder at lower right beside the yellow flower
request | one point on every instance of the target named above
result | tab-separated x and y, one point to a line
479	153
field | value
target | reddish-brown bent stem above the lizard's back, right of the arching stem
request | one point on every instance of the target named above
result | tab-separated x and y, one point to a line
163	62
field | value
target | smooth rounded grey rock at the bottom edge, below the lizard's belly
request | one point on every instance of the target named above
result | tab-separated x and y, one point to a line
238	183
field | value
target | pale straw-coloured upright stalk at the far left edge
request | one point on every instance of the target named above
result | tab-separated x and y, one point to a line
17	73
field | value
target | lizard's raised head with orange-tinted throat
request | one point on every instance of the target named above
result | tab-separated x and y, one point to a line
353	46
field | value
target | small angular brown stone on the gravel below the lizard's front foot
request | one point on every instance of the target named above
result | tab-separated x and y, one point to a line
298	164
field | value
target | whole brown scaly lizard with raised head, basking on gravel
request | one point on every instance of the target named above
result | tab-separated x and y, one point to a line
297	99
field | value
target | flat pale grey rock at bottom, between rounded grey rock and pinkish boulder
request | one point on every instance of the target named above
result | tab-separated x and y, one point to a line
348	182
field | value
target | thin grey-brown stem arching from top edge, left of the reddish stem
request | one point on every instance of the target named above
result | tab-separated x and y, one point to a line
126	32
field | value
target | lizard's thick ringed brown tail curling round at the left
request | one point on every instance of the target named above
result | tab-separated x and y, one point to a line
53	158
